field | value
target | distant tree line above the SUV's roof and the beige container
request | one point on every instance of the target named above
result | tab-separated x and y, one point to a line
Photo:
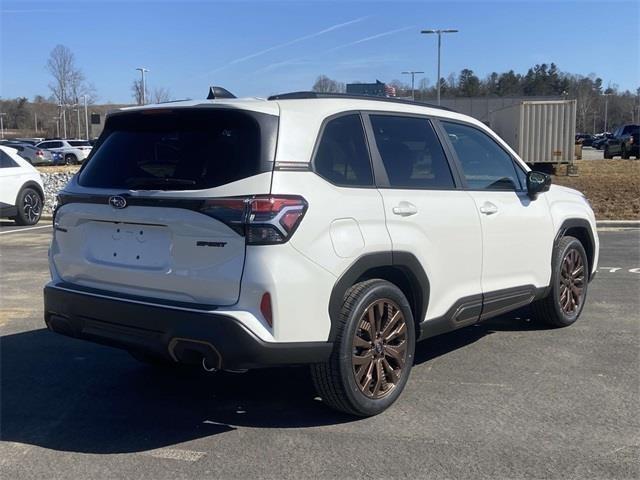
539	80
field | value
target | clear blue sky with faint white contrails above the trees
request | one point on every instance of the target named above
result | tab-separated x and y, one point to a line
265	47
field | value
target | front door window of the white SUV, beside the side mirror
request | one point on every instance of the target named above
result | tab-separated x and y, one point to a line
486	166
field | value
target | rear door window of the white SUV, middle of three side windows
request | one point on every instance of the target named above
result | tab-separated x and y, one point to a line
411	152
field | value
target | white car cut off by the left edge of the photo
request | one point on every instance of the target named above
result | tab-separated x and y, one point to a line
21	190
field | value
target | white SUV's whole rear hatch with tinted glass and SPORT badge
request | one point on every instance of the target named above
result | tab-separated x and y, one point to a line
153	213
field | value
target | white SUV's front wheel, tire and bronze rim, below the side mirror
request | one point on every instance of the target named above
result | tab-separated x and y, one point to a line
570	279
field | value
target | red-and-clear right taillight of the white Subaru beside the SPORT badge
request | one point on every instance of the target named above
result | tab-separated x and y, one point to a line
263	220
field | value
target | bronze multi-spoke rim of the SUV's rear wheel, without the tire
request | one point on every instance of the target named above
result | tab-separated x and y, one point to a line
379	349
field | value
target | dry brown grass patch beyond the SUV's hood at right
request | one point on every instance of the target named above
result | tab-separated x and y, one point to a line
612	187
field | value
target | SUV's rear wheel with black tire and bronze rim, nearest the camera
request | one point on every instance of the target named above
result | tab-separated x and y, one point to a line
373	351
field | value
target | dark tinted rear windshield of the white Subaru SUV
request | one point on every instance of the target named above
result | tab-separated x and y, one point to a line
182	149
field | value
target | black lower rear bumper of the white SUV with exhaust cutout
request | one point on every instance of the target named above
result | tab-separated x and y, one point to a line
184	336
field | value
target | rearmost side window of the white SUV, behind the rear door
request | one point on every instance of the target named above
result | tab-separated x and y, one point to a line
342	156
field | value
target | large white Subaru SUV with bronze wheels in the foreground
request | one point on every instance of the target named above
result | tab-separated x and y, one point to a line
327	230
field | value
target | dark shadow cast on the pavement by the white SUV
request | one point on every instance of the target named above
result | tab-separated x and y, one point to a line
71	395
